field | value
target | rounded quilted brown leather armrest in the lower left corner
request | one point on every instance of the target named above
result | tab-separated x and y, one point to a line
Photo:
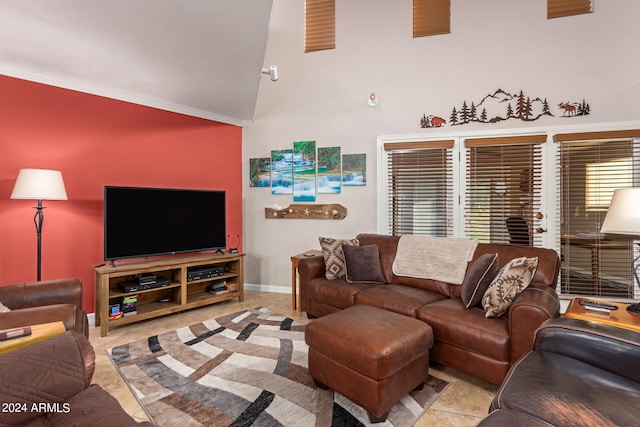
49	371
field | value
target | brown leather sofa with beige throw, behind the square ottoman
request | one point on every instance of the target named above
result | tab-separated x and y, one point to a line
463	337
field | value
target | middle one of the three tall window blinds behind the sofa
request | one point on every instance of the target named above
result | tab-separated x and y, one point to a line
503	189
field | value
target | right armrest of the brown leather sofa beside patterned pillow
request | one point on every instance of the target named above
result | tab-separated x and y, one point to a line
536	304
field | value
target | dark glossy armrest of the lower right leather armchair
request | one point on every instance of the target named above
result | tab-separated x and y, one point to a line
612	349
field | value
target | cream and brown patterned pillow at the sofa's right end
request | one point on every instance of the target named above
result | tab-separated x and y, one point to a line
514	277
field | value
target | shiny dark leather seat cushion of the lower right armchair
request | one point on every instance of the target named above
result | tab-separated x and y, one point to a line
564	391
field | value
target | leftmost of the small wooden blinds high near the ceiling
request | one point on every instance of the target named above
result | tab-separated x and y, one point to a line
319	25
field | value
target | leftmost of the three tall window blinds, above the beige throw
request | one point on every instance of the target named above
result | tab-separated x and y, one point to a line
420	188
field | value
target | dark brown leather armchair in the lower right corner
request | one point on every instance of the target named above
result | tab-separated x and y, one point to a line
579	373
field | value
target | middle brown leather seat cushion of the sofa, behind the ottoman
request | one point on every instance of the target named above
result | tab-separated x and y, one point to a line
399	299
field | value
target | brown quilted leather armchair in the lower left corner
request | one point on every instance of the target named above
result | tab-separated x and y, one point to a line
48	383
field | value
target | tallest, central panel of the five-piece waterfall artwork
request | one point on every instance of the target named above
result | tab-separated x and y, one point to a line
304	171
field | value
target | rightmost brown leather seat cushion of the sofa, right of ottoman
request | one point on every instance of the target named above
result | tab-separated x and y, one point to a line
467	328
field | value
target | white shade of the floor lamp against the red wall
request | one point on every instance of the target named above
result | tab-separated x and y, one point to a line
39	184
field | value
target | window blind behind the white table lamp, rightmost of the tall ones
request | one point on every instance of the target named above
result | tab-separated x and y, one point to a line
592	165
